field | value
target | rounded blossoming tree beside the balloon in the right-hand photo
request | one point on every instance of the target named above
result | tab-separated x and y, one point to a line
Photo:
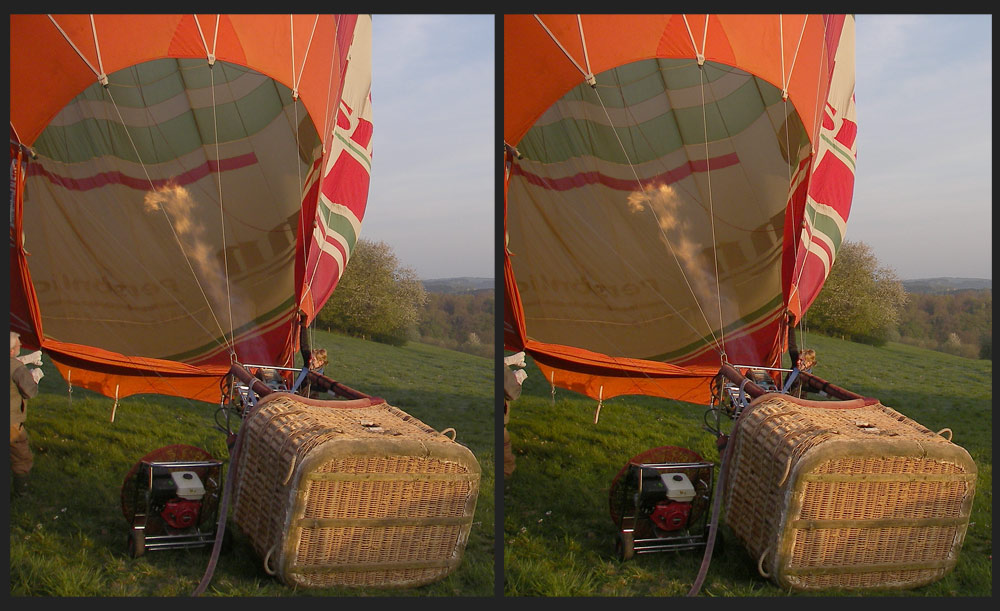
860	299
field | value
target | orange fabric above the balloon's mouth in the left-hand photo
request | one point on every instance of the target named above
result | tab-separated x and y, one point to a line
262	42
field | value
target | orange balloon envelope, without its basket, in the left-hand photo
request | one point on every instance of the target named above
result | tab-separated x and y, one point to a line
182	186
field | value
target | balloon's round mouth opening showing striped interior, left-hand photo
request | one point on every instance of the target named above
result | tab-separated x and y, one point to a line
196	210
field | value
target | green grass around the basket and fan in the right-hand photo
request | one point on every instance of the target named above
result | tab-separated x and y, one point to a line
558	535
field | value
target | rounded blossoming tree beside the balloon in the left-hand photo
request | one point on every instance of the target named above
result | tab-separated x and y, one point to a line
376	297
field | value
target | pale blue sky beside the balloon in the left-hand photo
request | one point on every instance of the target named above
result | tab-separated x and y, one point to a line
433	167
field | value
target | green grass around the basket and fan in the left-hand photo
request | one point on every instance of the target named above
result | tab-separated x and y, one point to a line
68	537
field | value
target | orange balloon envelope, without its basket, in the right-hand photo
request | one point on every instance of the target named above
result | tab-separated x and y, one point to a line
675	186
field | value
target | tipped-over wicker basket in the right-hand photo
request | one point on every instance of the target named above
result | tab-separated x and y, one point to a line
846	494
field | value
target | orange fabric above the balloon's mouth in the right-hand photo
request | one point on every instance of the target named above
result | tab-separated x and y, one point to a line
537	72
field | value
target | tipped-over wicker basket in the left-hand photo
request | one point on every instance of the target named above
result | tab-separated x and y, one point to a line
352	493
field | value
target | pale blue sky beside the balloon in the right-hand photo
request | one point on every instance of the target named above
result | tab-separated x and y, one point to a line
924	188
